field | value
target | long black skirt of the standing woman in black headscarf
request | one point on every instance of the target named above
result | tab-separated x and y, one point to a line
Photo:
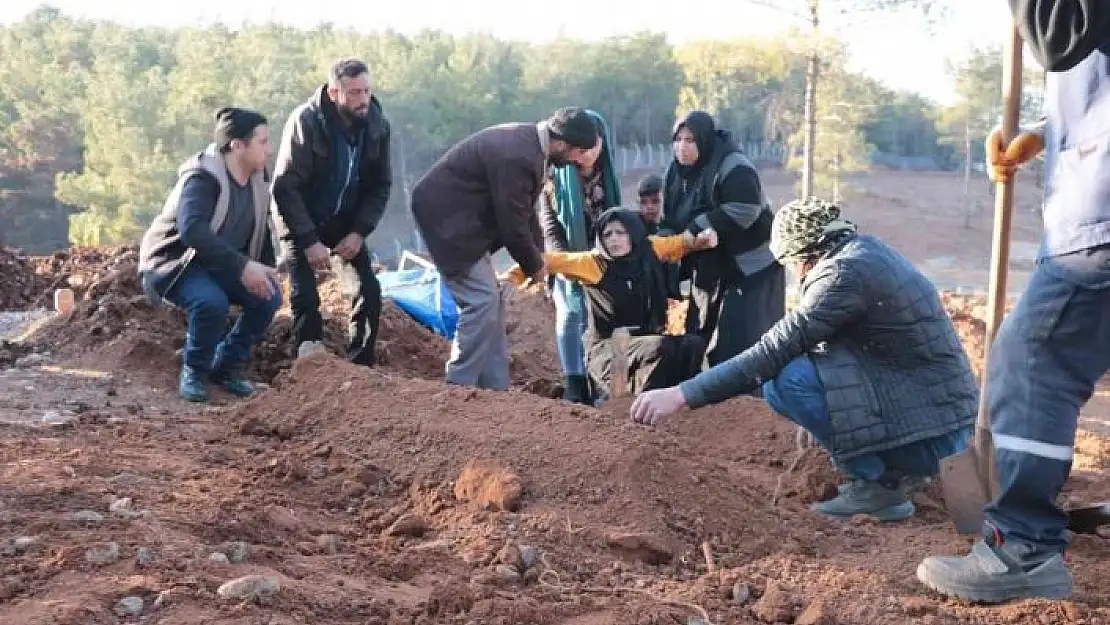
731	311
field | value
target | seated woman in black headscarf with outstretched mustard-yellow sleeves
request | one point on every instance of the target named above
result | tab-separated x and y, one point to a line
627	288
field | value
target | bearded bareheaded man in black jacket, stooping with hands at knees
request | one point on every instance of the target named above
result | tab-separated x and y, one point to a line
331	187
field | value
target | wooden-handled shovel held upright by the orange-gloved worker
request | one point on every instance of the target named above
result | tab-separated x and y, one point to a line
968	479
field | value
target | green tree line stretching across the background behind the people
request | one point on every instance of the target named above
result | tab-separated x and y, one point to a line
96	117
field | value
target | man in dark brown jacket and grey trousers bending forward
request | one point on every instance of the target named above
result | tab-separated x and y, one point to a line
479	198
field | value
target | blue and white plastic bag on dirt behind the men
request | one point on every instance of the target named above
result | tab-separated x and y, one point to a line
422	294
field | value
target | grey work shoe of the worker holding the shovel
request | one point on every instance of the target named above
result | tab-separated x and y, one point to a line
997	572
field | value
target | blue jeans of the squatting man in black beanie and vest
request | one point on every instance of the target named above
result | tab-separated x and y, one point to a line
206	296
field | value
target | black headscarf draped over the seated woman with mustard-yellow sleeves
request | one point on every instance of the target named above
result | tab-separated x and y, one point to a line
640	270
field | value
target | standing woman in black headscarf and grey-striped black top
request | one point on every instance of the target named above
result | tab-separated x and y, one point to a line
738	290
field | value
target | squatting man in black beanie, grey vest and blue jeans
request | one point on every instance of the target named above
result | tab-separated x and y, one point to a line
211	247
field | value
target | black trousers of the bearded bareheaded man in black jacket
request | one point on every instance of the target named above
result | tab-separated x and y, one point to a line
359	283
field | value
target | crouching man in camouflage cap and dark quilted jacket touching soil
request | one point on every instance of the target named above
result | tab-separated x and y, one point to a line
869	364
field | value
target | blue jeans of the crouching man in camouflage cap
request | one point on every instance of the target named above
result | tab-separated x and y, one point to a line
799	395
